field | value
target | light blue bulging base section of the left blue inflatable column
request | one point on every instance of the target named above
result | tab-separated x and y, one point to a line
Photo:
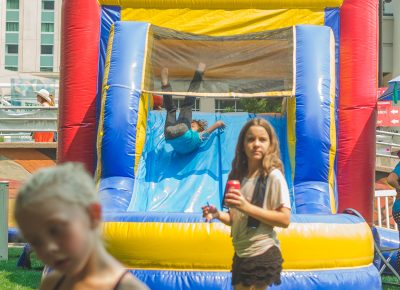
115	193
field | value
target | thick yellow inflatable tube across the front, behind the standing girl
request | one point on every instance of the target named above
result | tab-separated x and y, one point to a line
207	246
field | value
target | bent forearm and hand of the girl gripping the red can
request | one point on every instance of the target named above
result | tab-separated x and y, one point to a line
279	217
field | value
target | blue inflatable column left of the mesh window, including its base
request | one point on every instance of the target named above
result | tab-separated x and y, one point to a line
119	117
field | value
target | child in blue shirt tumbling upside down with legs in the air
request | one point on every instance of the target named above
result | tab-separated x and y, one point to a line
185	135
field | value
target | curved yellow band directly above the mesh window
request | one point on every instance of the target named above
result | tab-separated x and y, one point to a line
224	22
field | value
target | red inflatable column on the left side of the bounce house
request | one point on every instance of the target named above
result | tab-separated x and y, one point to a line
78	80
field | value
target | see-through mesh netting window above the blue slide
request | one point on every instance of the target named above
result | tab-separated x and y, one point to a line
250	65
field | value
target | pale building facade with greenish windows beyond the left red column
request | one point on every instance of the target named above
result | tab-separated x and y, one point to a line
30	36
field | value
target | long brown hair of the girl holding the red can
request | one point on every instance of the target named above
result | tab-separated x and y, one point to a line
271	159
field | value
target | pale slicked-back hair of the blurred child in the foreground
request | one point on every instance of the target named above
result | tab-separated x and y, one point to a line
69	182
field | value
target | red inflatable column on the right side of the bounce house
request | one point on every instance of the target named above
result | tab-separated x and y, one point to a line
357	105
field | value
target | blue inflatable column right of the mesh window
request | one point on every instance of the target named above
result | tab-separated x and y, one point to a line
313	120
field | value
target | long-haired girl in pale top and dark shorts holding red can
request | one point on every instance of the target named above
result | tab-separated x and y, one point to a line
261	204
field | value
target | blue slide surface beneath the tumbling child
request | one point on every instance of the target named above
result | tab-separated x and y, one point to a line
171	182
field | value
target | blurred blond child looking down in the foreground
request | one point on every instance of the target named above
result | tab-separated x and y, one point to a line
59	214
